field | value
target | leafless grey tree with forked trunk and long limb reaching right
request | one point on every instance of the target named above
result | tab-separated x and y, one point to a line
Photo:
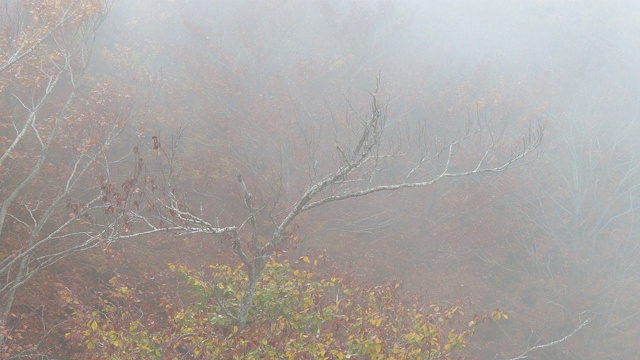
359	161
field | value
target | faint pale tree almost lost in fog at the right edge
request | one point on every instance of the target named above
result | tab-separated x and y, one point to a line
575	250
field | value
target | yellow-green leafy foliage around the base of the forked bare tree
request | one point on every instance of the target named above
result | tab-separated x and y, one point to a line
297	314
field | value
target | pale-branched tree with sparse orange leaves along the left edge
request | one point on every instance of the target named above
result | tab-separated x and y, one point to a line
52	151
